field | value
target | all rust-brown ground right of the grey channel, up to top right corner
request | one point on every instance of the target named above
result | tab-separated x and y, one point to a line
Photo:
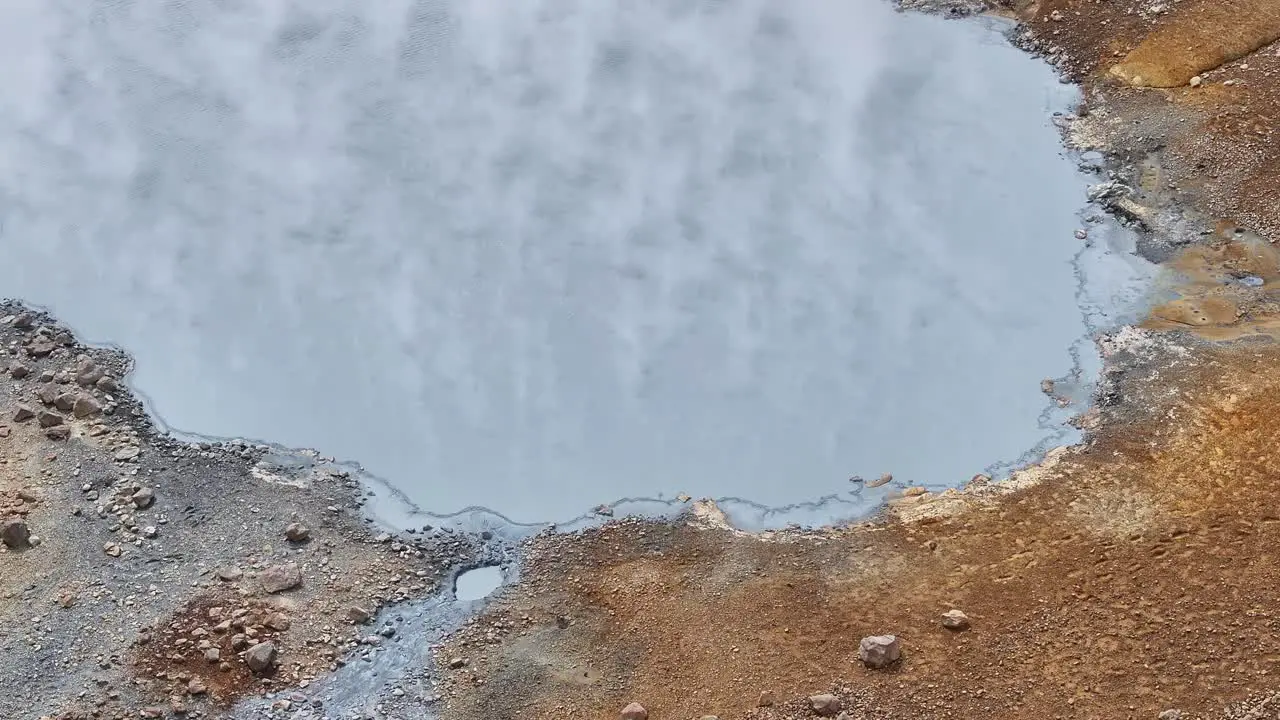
1135	576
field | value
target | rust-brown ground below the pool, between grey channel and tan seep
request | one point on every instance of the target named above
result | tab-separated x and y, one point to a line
1136	576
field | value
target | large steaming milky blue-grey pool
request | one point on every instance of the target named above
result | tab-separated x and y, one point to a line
534	258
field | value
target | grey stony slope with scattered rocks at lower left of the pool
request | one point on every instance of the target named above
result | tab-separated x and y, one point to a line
147	577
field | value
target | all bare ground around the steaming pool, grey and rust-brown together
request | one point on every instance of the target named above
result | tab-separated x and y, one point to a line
1121	578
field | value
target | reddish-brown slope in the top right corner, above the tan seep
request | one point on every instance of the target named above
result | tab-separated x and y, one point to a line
1219	142
